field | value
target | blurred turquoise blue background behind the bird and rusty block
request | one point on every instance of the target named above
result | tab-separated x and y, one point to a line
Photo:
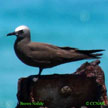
80	24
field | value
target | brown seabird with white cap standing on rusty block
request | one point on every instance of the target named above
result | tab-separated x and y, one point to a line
44	55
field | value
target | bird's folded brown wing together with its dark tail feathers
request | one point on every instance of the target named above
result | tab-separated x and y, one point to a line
50	53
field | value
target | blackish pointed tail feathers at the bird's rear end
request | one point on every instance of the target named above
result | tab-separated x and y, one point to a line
91	53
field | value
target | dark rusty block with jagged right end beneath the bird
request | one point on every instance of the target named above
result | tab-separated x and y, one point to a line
64	91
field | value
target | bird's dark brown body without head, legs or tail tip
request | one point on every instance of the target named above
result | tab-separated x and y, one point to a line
44	55
